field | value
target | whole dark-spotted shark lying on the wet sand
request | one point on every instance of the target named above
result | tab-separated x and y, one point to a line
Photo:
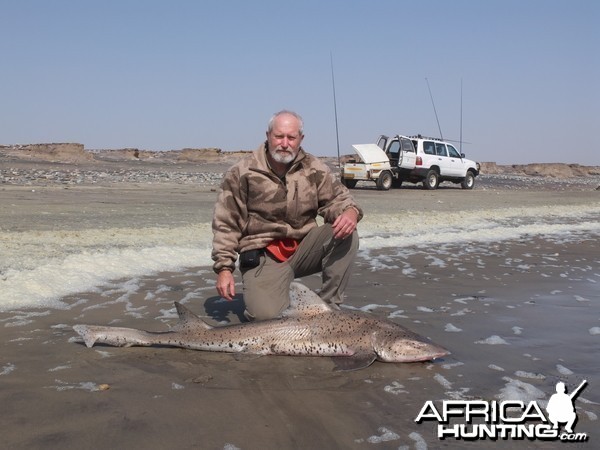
308	327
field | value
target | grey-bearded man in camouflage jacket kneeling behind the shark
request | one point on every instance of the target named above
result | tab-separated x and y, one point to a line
266	213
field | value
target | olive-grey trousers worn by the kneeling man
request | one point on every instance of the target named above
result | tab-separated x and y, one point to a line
266	287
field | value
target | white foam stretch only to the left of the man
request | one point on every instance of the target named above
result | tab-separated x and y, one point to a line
37	269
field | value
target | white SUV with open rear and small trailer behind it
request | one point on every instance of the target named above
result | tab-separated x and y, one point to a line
414	159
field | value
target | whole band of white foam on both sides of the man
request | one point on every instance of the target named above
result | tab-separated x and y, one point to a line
39	268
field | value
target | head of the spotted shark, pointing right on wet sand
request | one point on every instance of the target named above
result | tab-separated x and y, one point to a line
405	347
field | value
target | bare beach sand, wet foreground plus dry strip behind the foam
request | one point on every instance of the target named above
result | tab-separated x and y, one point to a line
518	315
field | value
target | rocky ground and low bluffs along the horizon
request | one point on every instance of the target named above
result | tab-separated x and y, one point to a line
72	164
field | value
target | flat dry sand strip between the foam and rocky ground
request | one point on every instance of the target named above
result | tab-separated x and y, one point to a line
42	207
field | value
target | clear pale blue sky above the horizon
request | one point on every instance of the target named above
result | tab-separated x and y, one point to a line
161	75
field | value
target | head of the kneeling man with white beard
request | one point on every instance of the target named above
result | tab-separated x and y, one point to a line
284	139
